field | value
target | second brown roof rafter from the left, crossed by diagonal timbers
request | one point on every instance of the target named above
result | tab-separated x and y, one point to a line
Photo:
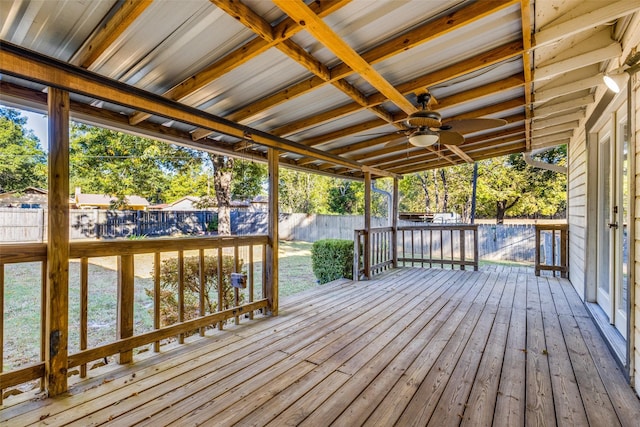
284	30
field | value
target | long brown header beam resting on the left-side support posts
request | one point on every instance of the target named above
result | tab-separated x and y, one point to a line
32	66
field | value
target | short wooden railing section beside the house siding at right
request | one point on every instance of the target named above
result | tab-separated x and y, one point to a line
552	248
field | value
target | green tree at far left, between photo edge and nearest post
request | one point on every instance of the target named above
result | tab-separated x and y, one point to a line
22	160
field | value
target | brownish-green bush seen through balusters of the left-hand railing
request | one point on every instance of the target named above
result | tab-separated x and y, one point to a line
169	287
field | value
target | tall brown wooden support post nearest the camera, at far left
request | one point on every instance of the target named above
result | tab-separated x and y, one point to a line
57	330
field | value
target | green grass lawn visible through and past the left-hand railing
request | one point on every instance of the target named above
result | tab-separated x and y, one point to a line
22	328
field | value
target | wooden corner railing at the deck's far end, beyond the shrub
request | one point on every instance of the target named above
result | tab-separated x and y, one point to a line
420	245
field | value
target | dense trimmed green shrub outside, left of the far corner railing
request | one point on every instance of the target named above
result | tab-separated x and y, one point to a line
332	259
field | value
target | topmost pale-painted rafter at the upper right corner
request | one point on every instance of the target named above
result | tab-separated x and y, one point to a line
602	14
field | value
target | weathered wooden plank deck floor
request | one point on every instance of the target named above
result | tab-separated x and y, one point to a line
414	347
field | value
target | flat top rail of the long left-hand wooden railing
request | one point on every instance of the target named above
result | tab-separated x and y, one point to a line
29	252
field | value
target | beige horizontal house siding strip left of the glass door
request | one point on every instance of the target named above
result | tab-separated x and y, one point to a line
577	196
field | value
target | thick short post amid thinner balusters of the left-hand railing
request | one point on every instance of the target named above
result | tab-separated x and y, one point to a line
124	324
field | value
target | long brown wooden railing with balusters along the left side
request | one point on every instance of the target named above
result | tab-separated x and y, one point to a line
125	252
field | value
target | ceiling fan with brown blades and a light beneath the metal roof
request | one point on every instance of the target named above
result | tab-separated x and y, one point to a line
425	127
